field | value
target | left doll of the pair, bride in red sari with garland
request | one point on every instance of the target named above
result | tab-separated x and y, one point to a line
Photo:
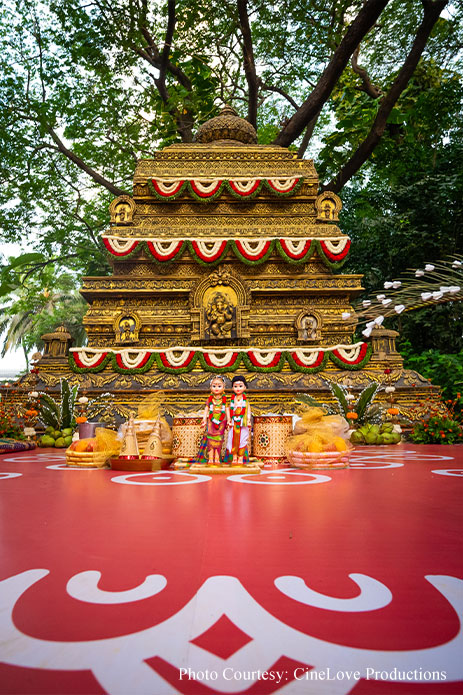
216	419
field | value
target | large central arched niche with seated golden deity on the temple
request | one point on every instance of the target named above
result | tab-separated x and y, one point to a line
219	307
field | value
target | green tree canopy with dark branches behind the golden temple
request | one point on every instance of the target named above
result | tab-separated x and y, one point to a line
373	87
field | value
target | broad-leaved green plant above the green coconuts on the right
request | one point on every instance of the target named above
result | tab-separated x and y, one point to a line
364	408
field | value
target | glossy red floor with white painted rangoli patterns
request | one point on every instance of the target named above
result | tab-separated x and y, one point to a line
323	583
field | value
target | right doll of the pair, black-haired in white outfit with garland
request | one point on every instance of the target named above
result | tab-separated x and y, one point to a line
240	414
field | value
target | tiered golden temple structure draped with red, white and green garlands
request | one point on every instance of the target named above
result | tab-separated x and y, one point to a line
225	260
